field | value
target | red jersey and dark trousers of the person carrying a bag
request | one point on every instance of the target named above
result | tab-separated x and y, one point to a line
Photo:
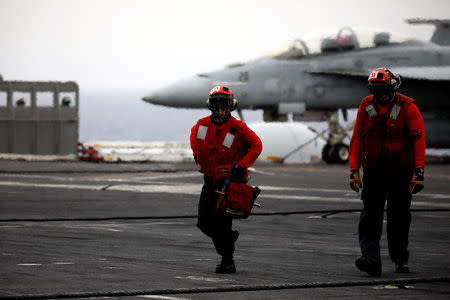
217	149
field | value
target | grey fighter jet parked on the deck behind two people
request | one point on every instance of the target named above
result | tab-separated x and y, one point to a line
313	77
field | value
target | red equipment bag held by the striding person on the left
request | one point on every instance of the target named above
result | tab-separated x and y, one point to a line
236	199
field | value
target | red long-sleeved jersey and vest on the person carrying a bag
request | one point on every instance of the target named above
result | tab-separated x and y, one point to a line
218	148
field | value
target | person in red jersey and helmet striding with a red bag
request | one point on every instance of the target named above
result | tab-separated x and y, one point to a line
223	148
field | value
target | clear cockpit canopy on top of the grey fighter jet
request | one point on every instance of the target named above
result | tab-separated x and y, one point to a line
343	39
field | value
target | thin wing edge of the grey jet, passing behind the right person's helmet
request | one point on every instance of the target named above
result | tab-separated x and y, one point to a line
432	73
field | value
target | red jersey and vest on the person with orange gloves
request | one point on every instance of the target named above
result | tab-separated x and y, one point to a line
388	136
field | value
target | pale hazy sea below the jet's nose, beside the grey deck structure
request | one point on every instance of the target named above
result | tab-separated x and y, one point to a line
123	116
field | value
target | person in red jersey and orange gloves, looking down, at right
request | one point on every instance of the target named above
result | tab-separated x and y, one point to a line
389	142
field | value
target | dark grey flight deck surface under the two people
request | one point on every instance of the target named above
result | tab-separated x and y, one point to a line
74	229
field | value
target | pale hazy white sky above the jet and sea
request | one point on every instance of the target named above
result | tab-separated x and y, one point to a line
142	45
